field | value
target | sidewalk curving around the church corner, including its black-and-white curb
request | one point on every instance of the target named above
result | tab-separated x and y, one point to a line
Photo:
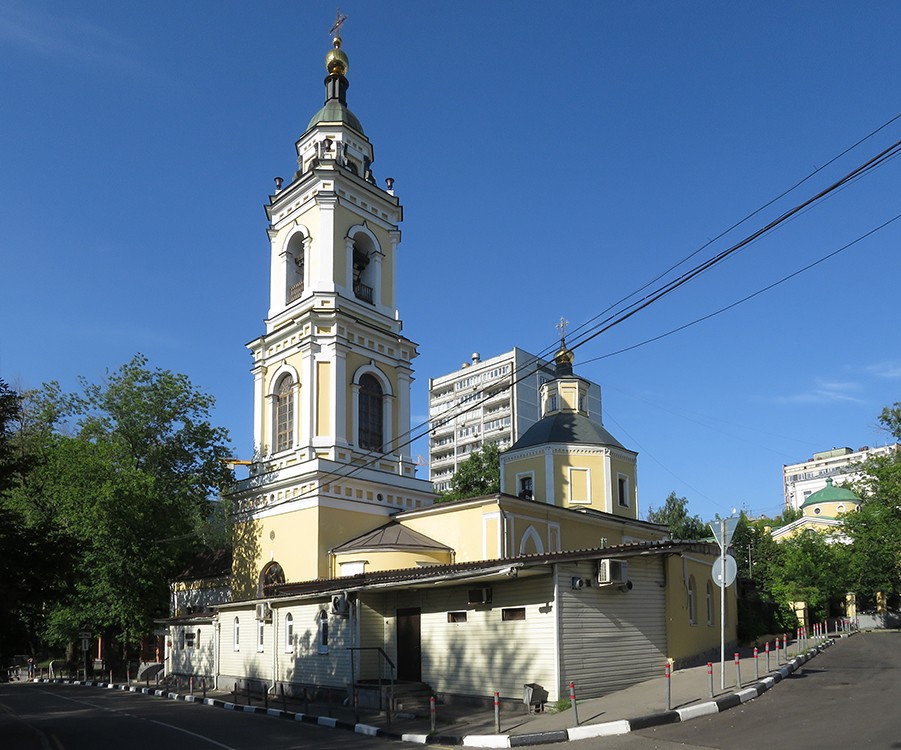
637	707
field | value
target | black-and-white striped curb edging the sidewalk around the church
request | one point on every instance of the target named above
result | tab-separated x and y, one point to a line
587	731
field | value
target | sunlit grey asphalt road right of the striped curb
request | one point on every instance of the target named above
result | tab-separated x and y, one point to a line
849	696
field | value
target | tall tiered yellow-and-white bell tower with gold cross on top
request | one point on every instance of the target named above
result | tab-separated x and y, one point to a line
333	370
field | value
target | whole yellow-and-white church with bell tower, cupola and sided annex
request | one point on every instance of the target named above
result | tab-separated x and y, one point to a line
346	573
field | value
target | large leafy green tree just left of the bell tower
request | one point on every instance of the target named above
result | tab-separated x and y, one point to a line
124	479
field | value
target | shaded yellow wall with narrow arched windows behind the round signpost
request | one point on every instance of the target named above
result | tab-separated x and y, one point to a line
689	637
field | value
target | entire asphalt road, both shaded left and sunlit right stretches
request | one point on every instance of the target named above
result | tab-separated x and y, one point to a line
847	697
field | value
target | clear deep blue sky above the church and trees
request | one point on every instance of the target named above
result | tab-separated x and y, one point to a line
551	159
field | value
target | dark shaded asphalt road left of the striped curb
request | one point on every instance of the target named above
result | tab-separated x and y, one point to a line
73	717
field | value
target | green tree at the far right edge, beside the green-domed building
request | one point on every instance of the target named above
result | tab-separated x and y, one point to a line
875	530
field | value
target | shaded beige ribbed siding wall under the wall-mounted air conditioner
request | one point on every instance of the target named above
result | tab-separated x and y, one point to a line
610	638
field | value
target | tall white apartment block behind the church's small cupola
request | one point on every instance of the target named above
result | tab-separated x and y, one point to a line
487	401
